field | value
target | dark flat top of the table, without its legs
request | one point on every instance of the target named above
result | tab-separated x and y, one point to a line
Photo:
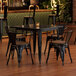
49	28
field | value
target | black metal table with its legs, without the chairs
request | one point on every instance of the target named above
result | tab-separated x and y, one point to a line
36	30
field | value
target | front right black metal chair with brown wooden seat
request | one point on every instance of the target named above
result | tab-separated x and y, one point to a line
60	46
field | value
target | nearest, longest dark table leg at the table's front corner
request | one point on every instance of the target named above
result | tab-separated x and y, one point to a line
39	45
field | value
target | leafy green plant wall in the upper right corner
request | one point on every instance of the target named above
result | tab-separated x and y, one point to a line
65	11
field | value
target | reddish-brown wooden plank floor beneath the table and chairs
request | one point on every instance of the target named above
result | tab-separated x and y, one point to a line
53	68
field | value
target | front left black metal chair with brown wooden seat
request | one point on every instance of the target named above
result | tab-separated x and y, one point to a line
19	46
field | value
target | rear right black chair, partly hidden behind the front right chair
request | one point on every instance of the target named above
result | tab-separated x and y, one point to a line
57	36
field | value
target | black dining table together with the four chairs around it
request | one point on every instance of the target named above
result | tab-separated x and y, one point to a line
36	29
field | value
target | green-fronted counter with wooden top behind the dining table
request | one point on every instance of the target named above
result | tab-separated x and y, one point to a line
15	17
